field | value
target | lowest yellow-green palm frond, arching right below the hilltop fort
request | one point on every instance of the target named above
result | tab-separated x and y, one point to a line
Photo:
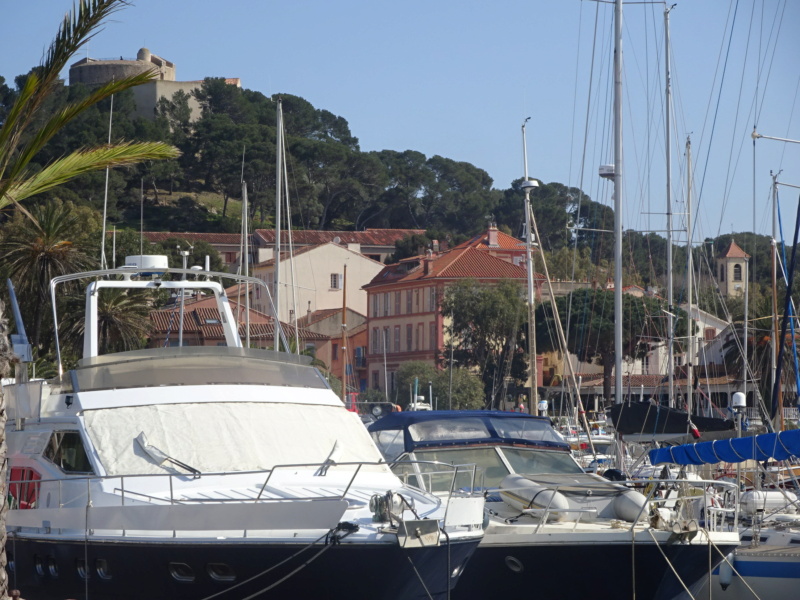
84	161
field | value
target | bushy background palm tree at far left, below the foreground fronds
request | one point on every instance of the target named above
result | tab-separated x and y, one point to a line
39	248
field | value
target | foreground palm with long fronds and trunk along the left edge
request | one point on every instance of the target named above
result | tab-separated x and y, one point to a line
22	137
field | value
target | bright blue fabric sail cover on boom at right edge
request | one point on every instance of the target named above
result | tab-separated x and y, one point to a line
778	446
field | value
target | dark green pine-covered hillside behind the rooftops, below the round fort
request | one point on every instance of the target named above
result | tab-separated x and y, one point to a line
332	183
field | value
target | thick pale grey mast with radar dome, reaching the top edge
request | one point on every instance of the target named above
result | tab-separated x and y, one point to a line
618	200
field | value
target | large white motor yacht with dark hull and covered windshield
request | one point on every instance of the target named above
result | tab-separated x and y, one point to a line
211	472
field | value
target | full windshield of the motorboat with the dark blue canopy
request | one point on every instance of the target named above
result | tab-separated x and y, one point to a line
492	464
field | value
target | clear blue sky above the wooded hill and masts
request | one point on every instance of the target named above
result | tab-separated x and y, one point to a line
458	78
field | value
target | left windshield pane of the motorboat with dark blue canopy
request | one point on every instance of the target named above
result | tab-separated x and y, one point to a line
489	467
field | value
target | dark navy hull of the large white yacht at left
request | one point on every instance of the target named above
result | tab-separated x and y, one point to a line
49	569
